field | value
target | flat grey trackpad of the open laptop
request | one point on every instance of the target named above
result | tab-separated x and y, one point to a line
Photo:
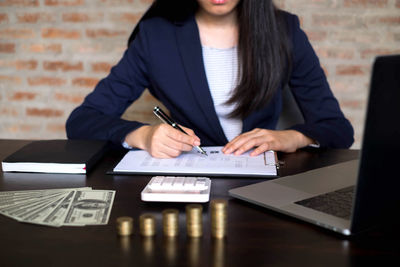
323	180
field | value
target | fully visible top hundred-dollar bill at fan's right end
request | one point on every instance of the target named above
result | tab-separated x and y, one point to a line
90	208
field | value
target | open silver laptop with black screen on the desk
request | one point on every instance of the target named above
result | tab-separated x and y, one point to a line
356	195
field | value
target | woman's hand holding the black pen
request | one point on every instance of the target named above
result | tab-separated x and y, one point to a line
162	140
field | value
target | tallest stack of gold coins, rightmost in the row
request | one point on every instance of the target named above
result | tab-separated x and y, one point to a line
219	218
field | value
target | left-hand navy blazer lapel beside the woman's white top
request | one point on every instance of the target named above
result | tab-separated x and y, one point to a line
189	46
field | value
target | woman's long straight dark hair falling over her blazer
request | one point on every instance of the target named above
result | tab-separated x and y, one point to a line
264	49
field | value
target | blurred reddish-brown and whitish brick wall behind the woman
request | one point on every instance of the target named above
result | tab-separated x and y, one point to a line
53	52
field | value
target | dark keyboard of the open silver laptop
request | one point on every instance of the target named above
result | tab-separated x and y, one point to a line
337	203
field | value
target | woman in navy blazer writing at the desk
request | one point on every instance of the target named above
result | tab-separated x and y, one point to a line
219	67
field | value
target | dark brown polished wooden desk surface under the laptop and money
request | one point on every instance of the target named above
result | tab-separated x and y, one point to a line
256	236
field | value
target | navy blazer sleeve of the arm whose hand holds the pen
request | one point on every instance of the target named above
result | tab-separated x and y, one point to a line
98	117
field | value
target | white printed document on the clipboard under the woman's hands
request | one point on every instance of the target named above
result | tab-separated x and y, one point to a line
194	163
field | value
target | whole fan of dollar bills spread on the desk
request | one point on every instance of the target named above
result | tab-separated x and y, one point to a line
58	207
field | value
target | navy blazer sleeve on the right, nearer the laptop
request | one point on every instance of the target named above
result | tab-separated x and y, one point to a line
324	121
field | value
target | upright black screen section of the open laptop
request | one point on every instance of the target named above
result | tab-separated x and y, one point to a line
379	179
